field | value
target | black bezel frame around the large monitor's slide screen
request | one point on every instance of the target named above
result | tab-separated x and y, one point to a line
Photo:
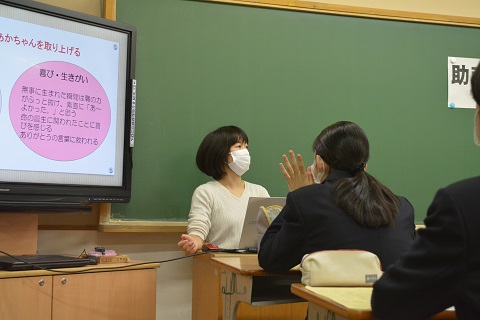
41	194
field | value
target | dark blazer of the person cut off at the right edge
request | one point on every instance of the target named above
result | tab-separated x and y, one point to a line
443	267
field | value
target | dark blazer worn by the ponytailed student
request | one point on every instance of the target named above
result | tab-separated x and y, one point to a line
310	221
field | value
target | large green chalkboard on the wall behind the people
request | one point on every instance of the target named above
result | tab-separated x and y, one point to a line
282	76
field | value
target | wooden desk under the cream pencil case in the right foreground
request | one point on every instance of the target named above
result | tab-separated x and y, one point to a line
344	303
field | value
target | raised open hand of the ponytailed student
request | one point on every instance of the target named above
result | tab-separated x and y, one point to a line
294	172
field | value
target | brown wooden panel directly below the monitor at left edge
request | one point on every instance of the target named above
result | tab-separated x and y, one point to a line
19	233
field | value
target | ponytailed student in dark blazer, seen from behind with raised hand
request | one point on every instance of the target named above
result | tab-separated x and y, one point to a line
346	208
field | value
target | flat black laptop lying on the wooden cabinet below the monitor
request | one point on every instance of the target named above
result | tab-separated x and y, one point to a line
43	261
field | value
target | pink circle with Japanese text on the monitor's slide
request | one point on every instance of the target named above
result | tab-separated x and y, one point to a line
59	111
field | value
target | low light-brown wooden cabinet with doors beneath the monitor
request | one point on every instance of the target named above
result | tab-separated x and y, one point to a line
101	294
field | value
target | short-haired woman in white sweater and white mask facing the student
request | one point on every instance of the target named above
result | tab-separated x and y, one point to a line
218	207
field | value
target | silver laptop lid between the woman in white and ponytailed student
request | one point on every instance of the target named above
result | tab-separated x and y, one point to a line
250	237
